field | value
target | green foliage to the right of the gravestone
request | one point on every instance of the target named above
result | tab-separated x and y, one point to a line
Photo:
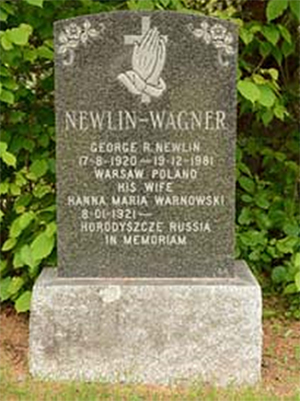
268	172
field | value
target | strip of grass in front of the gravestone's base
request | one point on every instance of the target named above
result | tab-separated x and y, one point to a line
32	390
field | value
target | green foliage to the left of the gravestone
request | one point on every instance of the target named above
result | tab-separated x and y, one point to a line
26	149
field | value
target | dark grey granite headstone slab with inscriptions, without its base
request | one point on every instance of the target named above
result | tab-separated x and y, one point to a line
146	123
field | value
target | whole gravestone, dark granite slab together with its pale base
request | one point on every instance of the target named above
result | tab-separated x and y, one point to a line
146	287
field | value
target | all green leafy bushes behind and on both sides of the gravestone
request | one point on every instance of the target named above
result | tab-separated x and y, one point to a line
267	169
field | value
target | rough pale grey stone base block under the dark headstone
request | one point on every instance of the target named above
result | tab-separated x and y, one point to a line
161	331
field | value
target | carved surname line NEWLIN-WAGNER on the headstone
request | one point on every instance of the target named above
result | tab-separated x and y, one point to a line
123	120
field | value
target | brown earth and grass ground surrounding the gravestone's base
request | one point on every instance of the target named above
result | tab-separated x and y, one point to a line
280	370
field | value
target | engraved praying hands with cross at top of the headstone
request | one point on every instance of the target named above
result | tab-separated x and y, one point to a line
148	59
